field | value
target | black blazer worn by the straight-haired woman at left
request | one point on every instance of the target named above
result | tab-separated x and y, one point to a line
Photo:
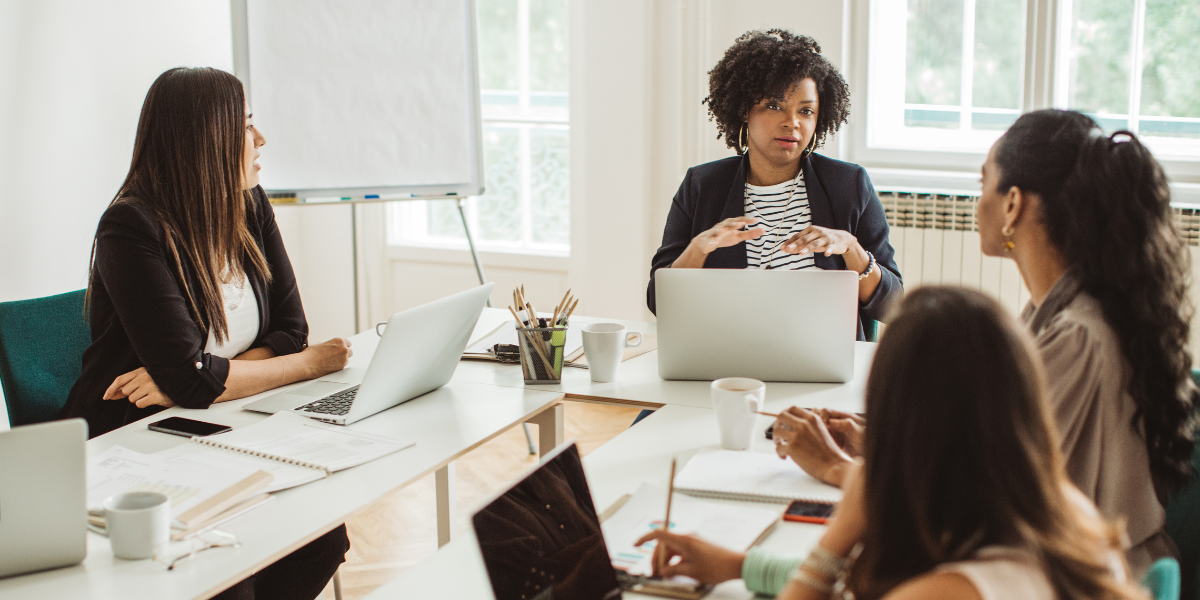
140	316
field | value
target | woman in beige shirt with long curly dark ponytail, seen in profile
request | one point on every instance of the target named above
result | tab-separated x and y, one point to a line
1088	220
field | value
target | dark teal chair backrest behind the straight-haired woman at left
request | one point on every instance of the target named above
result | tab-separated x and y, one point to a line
41	355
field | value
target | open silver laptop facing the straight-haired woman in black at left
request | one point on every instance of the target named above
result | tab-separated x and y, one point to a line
418	353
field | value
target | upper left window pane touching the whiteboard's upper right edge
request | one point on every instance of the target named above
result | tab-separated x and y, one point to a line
497	46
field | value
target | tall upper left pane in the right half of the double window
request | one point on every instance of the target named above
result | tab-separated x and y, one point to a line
1102	34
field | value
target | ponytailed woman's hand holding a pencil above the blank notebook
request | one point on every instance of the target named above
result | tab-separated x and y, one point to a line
803	436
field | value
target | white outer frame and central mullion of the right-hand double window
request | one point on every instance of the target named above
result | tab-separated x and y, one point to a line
1045	76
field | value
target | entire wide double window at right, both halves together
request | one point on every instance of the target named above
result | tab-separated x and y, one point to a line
952	75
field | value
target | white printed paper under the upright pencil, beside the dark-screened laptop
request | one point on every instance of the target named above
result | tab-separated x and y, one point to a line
731	526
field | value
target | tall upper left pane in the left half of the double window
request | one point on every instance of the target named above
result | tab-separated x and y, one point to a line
934	69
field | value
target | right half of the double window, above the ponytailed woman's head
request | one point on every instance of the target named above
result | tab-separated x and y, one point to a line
1136	65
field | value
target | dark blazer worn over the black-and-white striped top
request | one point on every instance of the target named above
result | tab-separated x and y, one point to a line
841	197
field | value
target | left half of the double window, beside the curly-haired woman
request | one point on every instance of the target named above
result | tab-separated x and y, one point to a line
946	75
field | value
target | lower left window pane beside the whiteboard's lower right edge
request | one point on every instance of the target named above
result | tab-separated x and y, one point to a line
500	208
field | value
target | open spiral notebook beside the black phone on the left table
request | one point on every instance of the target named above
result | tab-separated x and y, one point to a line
295	449
